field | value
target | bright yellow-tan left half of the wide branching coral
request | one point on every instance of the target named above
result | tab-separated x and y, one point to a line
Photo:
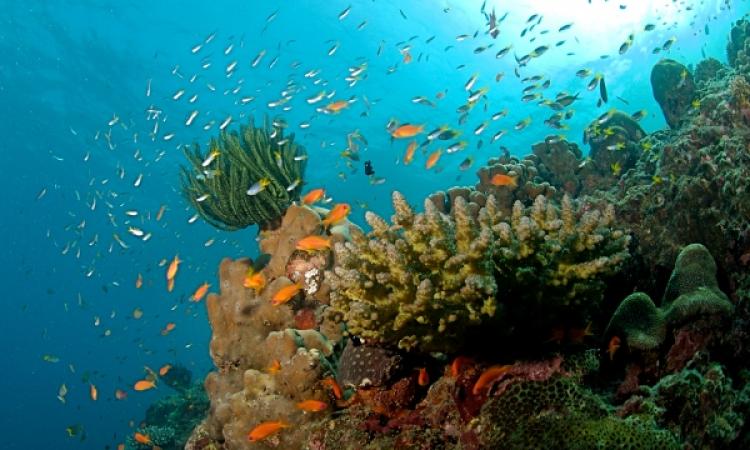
420	281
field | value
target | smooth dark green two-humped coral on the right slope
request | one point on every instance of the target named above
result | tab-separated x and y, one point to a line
692	292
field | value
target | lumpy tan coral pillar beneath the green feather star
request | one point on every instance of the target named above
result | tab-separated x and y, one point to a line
264	364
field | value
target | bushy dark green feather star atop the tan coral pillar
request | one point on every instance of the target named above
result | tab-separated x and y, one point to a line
245	158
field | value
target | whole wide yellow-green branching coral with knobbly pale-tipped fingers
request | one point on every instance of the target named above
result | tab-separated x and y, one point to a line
422	281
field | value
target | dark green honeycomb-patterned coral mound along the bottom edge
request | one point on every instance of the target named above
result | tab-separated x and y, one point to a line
560	413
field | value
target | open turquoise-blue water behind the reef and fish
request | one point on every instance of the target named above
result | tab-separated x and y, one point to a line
81	82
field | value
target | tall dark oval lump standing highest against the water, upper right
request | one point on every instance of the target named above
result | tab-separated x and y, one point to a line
673	88
